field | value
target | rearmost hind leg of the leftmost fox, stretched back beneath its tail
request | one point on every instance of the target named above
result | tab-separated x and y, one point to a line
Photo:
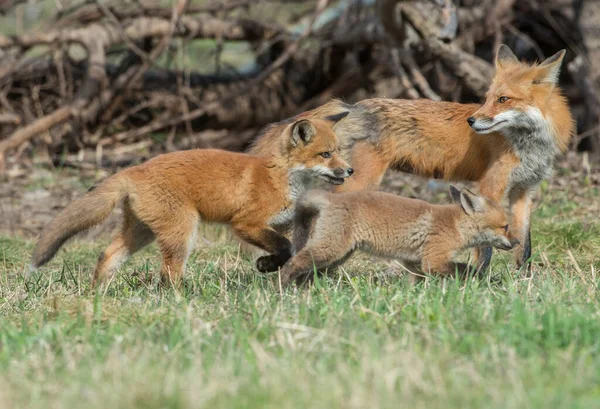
134	235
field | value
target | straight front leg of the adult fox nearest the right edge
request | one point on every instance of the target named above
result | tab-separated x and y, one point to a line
520	204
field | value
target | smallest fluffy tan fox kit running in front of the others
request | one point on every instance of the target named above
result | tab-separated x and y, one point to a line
425	236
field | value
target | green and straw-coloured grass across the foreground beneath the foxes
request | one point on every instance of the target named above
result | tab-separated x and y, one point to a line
360	338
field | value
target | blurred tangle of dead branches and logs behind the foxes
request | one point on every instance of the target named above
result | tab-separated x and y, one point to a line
91	86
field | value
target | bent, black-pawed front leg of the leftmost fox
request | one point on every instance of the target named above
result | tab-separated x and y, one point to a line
269	240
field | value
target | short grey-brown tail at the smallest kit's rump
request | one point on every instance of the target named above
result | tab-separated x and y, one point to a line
308	208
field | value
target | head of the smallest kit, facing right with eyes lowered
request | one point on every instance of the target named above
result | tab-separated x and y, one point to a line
485	222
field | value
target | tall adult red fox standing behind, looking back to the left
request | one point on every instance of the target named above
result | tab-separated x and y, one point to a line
508	145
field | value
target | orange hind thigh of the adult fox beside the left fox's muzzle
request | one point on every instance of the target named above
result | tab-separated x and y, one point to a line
369	168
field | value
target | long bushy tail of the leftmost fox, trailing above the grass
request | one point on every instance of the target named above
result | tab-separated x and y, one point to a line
81	214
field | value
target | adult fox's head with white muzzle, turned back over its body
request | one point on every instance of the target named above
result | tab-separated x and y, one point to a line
519	95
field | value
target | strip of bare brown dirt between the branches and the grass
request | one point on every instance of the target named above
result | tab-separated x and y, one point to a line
31	198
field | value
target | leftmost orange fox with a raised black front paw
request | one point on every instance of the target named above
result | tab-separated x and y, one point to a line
167	196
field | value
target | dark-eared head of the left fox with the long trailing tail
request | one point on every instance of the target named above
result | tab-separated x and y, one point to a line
312	149
